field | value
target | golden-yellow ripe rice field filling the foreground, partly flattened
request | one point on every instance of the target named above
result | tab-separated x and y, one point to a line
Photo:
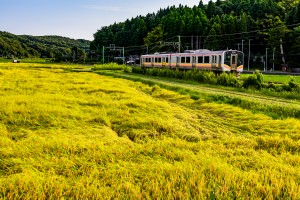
66	135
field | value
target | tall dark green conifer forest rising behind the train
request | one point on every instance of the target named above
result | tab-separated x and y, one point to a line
270	25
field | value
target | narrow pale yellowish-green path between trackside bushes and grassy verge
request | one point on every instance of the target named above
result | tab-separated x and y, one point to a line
213	91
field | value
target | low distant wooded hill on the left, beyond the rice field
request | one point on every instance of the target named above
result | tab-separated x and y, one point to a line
55	48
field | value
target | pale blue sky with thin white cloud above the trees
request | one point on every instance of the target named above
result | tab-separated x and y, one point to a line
77	19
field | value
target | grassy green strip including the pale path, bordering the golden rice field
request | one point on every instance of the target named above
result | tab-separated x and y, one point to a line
256	101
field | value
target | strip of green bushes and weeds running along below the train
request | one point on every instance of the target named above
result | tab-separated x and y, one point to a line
255	81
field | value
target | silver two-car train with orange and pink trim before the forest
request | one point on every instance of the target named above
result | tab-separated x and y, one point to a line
202	59
